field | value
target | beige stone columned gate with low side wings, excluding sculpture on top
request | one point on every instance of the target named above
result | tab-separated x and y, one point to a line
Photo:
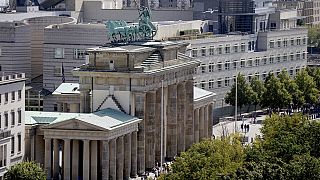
123	93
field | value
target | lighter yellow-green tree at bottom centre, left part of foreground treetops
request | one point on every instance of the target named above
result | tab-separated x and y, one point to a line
209	159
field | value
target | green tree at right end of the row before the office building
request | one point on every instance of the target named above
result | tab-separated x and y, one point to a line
307	86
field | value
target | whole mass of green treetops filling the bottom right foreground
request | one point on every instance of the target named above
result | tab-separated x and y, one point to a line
288	149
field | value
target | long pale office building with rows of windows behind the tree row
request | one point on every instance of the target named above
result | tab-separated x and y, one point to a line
283	46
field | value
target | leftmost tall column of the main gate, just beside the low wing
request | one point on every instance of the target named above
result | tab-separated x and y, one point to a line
140	109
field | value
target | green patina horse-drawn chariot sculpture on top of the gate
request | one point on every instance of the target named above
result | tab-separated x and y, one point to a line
120	31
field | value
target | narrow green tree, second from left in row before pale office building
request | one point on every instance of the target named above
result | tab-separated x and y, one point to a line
257	92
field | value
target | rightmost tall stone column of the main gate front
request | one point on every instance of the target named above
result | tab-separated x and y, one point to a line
189	129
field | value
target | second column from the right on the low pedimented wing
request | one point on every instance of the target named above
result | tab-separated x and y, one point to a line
127	156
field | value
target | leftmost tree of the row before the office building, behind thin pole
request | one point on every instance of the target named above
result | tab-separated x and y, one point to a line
244	92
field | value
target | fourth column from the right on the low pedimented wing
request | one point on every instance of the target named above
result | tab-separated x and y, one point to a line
112	158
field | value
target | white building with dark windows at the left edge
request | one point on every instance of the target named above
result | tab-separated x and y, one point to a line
12	125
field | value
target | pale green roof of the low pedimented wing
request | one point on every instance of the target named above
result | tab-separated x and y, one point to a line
106	119
